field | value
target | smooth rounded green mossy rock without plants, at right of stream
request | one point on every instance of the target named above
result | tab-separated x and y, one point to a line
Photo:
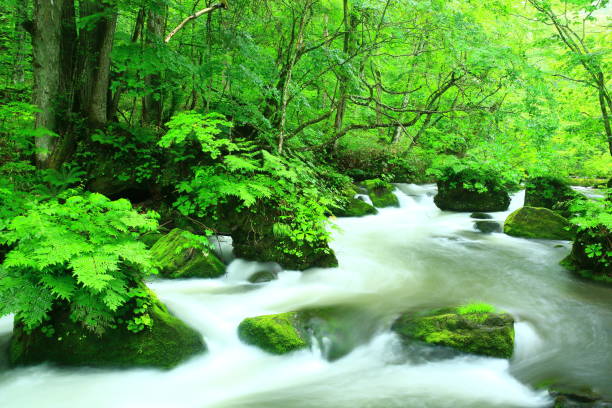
537	223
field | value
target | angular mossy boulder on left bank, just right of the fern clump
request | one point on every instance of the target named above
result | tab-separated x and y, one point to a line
176	259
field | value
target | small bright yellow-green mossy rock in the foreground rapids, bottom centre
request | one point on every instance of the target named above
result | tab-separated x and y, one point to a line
276	334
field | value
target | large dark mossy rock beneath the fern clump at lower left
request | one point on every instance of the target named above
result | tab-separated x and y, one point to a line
166	344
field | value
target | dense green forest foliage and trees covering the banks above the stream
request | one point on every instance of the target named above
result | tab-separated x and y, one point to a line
269	110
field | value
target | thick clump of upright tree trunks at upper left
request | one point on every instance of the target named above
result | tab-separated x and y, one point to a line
60	94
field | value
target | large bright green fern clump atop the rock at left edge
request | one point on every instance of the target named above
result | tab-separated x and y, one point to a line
79	250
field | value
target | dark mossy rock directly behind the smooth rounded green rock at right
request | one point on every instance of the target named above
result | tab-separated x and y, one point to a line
547	192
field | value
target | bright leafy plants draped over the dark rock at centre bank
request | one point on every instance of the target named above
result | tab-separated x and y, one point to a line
238	173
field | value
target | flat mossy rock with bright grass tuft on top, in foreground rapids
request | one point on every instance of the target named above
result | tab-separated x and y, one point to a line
478	332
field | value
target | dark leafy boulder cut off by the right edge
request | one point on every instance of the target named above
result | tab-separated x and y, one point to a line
582	261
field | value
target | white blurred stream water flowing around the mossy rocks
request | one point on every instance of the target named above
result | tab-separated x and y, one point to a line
409	258
